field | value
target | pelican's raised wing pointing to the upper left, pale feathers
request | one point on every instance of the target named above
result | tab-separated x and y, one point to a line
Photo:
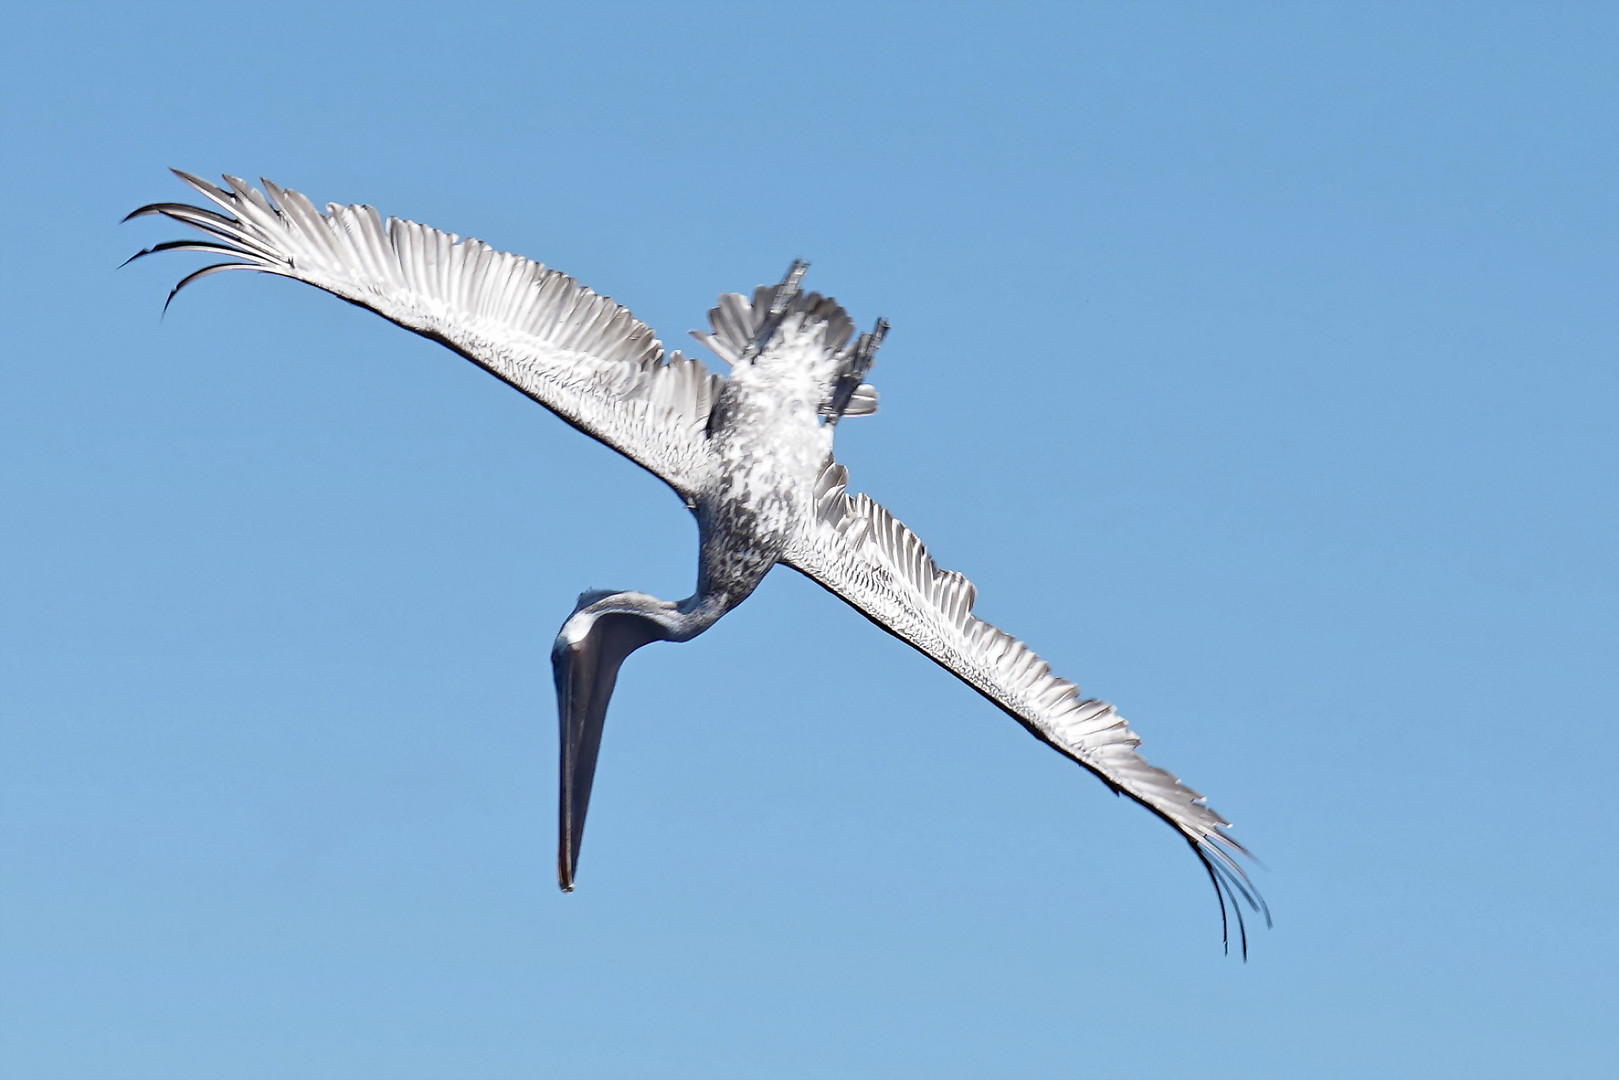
580	355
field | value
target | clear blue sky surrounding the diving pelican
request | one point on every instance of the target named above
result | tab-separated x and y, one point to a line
1257	362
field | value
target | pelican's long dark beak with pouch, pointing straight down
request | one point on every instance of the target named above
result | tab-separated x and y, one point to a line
587	671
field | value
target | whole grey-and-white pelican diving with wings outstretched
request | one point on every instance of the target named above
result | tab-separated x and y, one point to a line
750	456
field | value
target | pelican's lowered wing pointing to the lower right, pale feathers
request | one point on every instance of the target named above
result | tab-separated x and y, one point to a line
859	551
